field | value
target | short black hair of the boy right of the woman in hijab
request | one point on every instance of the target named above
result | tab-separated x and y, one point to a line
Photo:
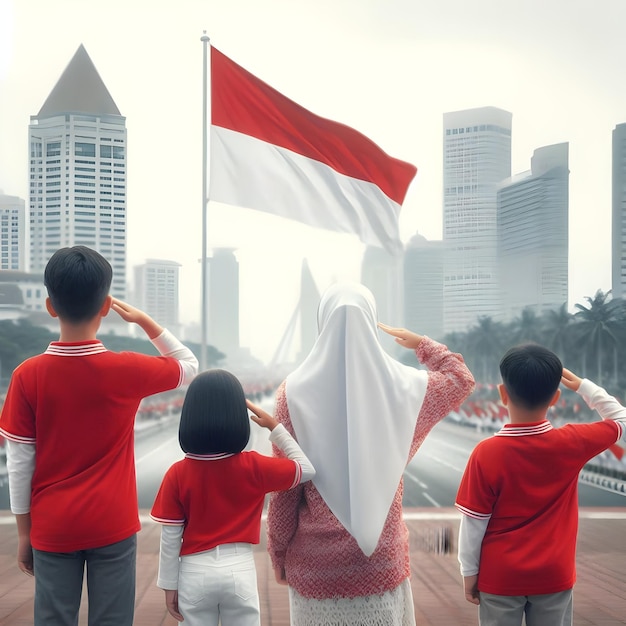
531	375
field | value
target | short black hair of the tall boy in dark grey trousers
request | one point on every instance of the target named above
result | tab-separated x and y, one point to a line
78	280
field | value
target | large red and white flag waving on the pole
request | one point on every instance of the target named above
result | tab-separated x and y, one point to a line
270	154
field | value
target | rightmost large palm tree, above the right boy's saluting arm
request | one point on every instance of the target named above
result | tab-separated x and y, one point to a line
599	325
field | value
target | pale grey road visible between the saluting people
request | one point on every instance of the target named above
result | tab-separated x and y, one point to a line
431	479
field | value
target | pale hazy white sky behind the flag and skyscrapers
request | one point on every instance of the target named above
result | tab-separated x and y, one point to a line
389	68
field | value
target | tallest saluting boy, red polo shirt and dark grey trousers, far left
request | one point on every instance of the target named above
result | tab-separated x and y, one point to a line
69	419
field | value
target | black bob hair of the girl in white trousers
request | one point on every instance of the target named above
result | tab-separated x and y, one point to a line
214	417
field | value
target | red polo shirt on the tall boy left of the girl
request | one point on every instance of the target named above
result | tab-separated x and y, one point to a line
76	403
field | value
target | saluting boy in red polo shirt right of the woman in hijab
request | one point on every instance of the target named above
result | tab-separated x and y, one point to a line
519	494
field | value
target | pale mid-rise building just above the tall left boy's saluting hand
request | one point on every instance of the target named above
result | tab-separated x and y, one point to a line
156	291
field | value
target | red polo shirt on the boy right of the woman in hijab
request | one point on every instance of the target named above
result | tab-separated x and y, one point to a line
525	480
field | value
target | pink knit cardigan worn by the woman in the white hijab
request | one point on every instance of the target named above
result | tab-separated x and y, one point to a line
321	559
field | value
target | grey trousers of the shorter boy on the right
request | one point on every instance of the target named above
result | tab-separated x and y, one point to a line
550	609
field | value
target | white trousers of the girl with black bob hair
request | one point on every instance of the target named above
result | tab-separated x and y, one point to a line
219	584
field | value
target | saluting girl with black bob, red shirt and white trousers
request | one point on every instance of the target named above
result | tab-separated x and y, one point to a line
210	503
